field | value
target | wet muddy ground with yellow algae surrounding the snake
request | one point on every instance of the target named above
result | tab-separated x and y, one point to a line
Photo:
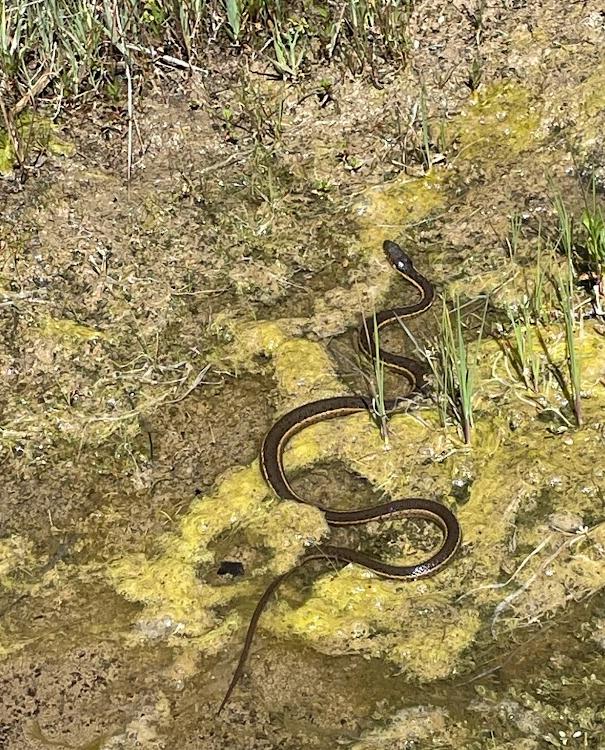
150	335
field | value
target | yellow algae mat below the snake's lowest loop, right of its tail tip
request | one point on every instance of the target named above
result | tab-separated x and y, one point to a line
356	611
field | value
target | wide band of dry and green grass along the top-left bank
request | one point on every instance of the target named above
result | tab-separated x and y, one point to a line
65	50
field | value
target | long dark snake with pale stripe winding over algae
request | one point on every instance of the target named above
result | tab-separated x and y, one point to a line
291	423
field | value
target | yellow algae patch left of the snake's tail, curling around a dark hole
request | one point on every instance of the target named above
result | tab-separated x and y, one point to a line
177	601
